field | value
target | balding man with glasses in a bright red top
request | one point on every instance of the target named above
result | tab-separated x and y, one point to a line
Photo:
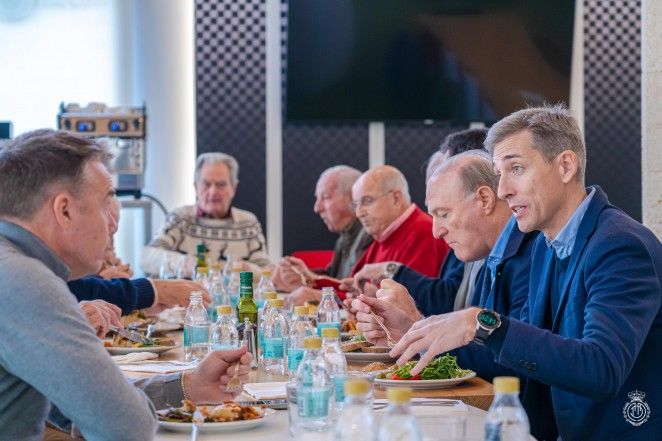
402	232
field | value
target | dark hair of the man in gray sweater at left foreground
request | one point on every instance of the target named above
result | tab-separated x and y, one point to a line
36	164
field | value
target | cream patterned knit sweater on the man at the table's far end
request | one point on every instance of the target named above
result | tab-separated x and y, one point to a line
240	236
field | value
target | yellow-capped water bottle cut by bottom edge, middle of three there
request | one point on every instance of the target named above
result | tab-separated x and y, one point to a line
399	424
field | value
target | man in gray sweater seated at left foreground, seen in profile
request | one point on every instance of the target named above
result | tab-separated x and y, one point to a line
54	227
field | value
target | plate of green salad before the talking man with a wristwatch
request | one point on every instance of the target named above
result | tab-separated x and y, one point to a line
439	373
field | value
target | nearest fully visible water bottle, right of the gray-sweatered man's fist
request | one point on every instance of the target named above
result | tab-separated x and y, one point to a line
314	389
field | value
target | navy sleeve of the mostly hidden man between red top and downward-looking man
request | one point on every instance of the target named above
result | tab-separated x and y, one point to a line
433	295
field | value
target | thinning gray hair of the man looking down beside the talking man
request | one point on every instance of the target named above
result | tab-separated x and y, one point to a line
474	168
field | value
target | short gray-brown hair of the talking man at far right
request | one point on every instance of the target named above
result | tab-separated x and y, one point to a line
552	129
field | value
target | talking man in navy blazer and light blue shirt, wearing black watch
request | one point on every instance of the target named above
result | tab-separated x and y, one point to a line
591	329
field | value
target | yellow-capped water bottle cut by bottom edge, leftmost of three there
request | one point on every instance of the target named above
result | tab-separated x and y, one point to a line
357	422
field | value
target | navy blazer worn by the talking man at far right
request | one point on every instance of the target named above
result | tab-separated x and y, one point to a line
605	338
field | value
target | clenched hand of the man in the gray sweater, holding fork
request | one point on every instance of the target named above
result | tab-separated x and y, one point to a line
206	383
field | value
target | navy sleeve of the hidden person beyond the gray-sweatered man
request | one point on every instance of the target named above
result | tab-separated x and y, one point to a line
128	294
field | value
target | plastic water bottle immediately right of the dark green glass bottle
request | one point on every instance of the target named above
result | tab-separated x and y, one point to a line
276	333
